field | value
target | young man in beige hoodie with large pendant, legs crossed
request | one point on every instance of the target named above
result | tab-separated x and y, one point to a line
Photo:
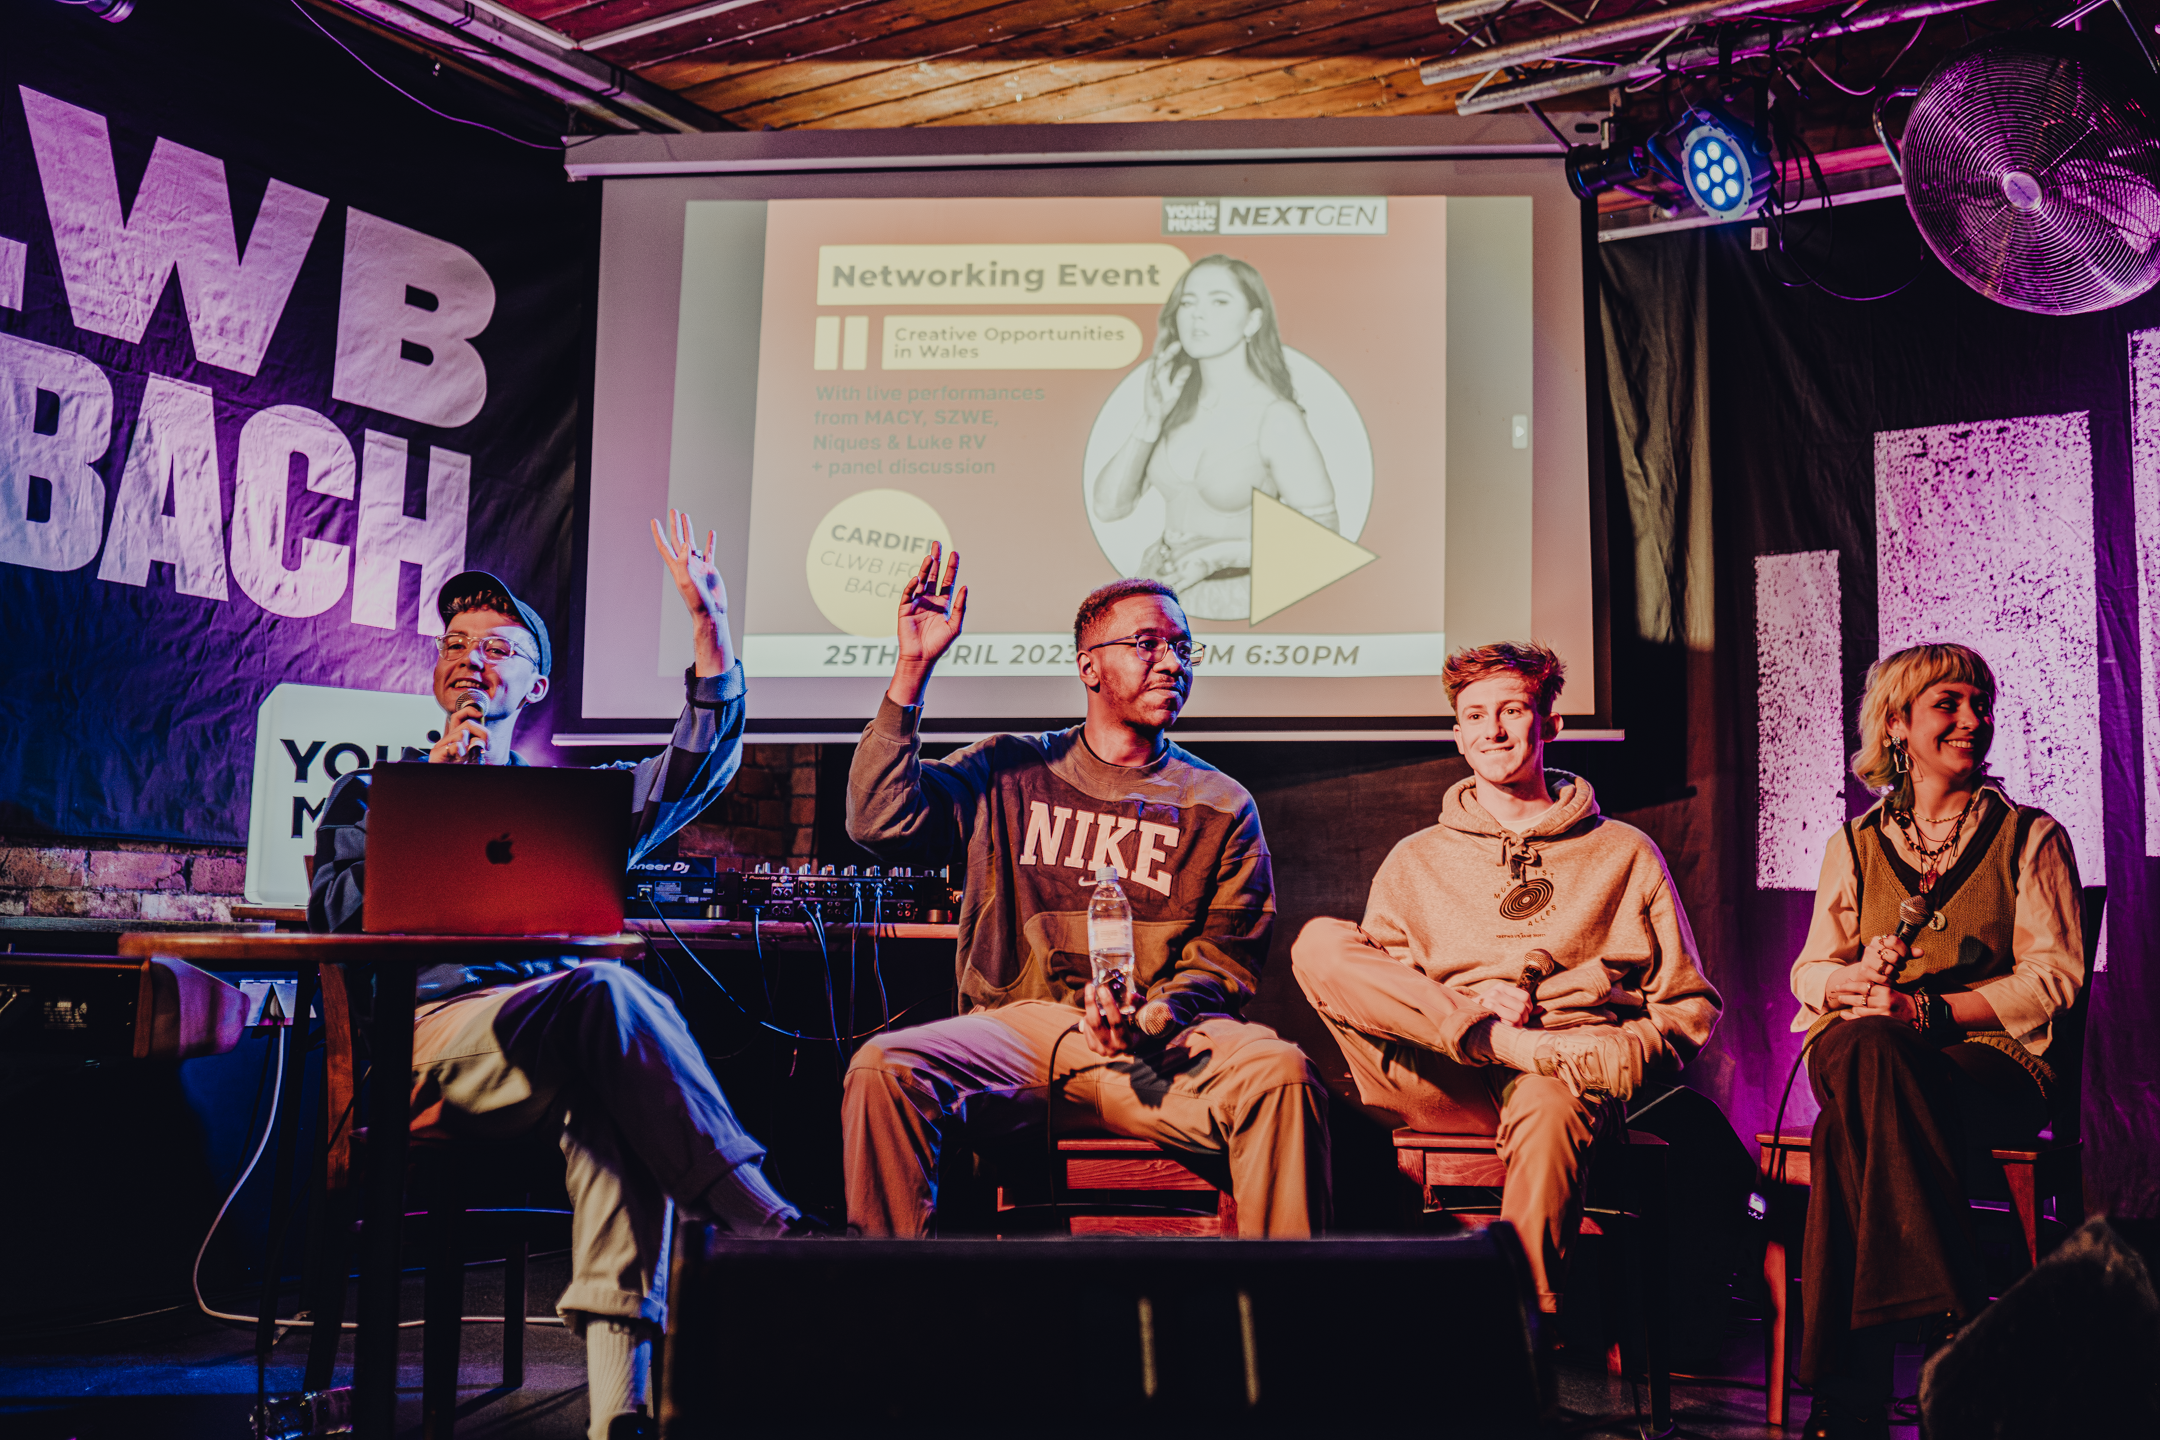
1522	964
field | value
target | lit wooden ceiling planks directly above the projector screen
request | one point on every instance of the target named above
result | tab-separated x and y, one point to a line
893	64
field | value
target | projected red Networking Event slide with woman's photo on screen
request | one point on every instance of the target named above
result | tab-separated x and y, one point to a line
1241	398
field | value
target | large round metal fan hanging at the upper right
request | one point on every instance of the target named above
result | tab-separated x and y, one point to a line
2031	167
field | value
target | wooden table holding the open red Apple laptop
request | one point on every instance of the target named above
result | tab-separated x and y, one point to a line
396	962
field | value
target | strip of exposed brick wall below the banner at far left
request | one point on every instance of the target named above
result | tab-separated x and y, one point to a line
120	880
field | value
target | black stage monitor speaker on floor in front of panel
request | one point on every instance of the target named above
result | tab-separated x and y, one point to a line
1088	1337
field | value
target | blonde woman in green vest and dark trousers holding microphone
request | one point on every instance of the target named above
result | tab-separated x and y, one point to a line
1921	1055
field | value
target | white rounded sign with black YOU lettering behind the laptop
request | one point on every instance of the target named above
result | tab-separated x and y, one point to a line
308	737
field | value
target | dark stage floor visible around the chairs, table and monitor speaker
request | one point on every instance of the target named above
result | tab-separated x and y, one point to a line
178	1376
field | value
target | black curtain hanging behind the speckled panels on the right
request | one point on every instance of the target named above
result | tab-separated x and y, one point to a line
1746	394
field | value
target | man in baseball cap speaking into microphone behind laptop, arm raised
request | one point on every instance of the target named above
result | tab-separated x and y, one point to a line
589	1050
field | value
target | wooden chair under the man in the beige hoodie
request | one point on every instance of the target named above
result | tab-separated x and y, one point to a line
1450	1163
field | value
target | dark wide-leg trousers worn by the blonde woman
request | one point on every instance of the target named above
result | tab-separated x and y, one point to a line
1904	1135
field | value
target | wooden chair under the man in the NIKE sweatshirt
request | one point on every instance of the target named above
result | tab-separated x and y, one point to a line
1113	1186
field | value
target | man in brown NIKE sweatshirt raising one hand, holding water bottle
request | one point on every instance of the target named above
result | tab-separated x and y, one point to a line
1038	1042
